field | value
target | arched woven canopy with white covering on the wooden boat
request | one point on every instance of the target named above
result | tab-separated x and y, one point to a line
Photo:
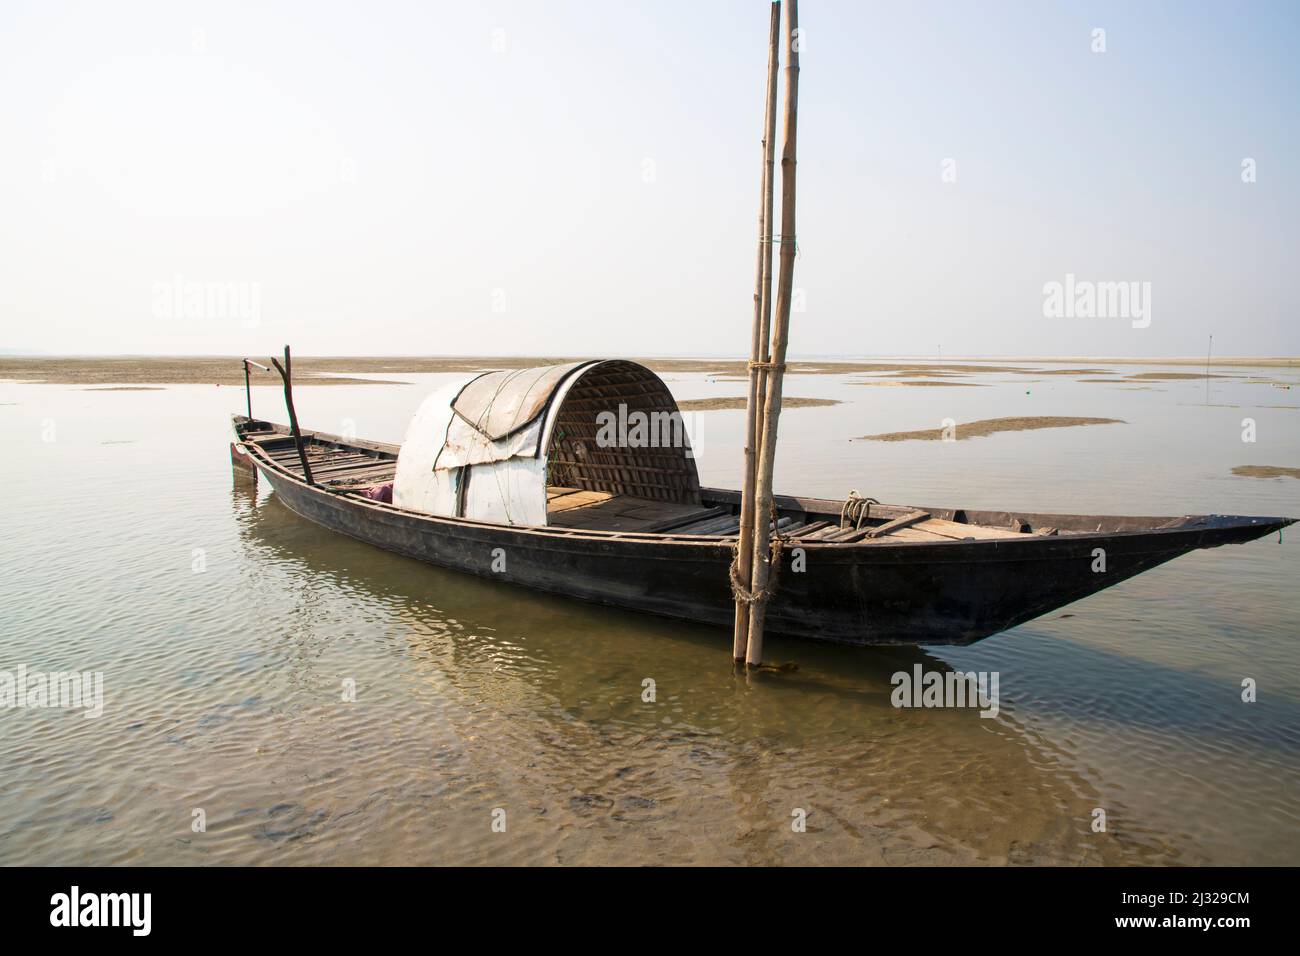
489	448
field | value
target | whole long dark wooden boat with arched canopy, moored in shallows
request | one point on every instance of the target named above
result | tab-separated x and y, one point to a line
630	526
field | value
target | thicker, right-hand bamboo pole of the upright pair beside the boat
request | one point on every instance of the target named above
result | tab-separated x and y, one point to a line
781	339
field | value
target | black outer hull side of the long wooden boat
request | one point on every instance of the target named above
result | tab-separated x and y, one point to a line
911	594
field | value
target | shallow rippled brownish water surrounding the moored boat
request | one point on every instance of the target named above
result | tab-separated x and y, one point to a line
227	630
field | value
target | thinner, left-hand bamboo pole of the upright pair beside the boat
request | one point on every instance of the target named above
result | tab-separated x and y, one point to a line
759	352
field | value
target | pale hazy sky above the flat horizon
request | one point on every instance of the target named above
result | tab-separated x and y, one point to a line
583	178
